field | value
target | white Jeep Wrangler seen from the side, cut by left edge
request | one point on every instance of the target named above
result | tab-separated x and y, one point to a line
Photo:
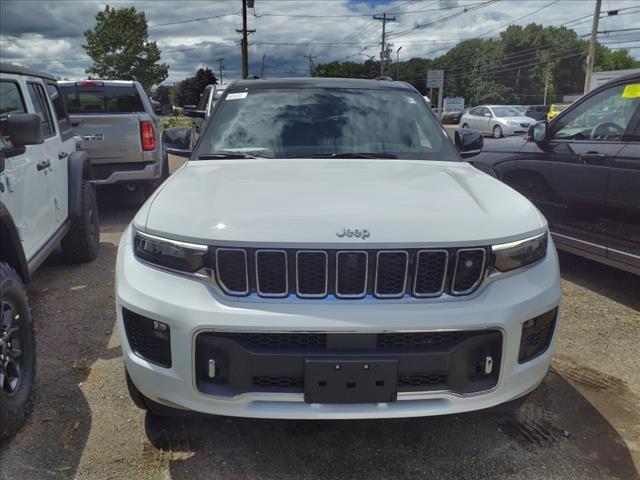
46	201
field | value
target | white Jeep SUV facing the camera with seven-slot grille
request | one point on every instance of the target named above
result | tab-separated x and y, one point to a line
326	253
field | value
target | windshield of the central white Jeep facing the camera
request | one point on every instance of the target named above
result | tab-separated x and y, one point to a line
283	123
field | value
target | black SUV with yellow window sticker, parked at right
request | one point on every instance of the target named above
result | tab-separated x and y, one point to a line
582	170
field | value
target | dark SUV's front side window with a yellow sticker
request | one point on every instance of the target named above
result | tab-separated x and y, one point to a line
603	117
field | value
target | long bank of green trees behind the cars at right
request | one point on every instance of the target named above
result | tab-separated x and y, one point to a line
511	69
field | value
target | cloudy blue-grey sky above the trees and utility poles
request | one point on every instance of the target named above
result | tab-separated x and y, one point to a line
47	35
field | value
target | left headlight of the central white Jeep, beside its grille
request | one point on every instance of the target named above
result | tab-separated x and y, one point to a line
172	254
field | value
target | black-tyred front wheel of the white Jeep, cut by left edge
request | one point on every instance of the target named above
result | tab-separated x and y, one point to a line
17	353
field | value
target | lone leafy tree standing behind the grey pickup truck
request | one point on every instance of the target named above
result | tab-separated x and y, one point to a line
120	50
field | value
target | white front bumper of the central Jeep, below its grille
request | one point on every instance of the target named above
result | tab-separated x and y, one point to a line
190	307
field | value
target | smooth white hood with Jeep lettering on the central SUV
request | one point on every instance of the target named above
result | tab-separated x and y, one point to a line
306	201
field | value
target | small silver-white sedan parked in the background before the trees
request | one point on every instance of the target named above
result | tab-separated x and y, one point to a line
497	120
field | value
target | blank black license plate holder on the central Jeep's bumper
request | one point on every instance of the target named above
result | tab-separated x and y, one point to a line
350	380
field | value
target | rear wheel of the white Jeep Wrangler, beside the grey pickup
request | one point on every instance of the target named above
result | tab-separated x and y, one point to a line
82	241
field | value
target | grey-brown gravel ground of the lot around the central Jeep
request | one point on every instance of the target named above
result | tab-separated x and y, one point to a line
583	421
